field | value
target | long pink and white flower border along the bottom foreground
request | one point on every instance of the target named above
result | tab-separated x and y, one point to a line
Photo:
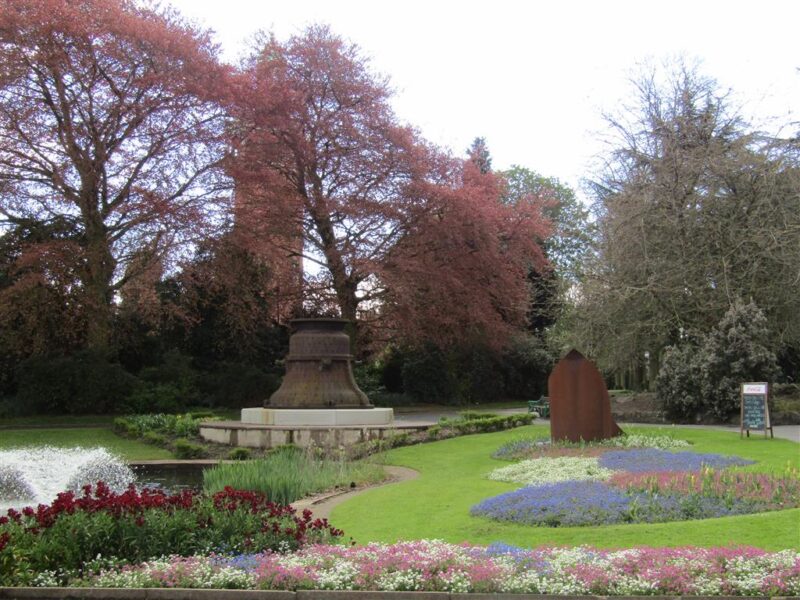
438	566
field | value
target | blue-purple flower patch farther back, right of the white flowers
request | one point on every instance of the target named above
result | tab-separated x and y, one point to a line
650	459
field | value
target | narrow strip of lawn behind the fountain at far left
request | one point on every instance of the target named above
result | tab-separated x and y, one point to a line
129	450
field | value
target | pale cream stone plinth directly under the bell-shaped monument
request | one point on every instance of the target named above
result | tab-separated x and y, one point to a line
318	417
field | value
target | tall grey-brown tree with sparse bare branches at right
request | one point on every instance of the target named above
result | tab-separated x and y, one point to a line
696	211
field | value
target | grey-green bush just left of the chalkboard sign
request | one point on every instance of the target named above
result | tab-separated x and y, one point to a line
705	376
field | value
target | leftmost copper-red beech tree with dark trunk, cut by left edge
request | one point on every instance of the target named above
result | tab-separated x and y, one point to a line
108	124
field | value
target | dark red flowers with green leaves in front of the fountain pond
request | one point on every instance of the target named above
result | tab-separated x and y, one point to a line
136	526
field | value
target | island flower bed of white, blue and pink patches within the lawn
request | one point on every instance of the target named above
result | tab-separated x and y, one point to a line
645	486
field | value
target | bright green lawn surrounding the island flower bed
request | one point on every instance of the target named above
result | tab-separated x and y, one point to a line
452	479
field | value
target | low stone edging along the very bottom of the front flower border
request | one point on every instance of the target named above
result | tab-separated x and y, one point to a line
199	594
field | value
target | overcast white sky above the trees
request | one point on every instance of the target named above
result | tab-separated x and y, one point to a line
534	77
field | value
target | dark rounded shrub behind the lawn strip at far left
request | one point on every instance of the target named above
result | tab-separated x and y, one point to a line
82	383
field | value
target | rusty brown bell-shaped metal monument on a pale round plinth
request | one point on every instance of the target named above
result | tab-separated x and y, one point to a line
319	370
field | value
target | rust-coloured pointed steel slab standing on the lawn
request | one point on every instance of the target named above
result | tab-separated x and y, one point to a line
580	408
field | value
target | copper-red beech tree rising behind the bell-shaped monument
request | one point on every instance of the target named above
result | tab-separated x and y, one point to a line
404	238
